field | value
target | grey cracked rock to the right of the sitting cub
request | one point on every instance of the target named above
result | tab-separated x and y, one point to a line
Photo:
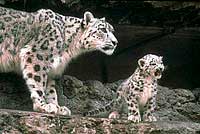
177	105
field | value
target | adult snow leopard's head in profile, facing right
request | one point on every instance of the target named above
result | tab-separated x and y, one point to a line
98	35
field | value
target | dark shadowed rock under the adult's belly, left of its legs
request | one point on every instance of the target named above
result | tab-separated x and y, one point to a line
14	93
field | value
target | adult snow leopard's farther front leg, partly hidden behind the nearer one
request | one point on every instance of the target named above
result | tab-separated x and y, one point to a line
51	97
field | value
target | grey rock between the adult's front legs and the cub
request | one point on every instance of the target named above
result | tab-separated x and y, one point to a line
81	96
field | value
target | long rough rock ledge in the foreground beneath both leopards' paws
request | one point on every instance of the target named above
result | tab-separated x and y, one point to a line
14	122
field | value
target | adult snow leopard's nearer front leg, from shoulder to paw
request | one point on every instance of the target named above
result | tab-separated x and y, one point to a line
34	71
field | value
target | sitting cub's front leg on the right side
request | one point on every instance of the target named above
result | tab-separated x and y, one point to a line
150	108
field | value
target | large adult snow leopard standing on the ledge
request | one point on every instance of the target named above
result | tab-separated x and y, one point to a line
39	46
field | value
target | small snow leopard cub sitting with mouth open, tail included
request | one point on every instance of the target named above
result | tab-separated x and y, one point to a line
138	92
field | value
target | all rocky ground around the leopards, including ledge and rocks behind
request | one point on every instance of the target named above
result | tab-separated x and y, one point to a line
178	109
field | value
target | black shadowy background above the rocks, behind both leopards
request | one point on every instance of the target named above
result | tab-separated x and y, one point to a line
170	29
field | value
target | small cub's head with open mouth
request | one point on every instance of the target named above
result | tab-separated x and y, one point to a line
152	64
